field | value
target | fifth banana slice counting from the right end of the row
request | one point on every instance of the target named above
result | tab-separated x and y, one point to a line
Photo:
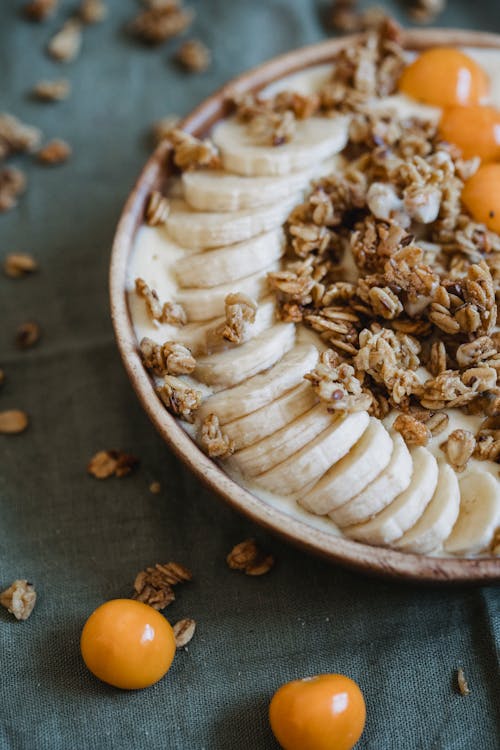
351	474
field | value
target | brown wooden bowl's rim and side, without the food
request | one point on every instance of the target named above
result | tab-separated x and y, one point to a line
351	554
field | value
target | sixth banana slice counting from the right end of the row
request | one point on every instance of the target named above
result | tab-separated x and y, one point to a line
308	464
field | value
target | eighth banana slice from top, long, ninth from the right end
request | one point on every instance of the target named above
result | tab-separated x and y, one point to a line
262	389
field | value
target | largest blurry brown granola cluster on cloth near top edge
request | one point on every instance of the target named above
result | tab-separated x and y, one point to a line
155	25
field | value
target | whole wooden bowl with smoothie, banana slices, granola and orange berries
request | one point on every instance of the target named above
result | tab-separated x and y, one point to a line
303	289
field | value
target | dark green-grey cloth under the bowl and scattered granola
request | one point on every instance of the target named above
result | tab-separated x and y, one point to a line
82	541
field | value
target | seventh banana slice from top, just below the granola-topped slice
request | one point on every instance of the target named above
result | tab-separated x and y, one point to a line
233	366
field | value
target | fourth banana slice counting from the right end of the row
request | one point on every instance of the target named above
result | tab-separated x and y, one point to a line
393	480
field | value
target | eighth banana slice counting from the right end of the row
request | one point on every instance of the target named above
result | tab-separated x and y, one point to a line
268	419
